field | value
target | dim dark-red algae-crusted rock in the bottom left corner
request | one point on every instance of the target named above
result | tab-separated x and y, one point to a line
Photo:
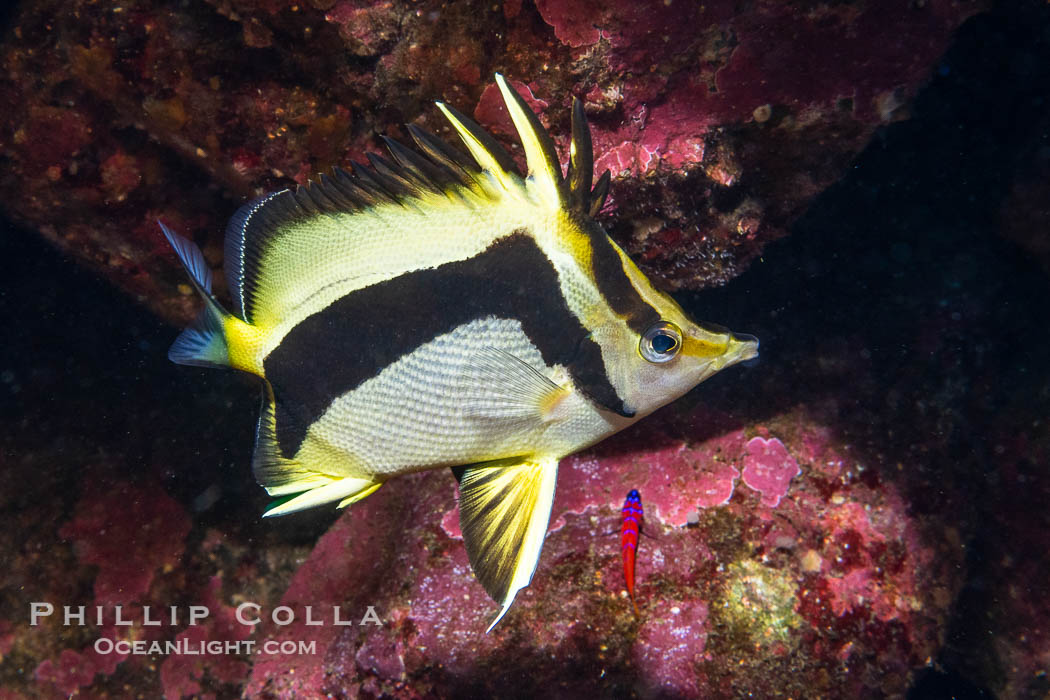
122	571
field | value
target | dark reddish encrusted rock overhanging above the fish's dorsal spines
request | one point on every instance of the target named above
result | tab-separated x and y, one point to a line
720	121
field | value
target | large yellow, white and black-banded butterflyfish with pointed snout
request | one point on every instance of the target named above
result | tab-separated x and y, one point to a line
440	310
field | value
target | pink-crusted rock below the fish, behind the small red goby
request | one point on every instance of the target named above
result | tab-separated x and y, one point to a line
811	579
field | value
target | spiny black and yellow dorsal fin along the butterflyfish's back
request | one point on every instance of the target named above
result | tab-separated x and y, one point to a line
487	176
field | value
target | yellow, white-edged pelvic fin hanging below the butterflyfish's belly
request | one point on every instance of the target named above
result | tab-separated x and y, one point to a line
505	511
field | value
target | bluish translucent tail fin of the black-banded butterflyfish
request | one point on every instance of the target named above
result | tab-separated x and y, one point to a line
203	344
